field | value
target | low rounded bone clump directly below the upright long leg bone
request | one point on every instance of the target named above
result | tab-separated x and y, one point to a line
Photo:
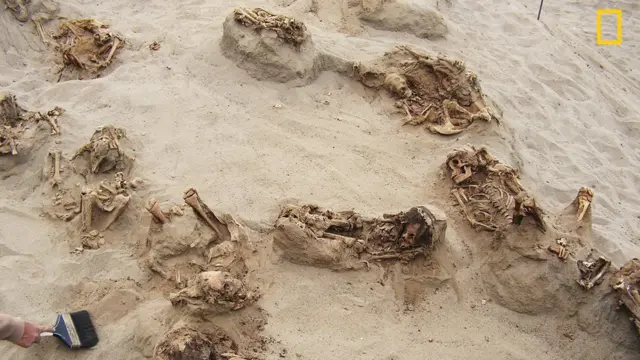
214	292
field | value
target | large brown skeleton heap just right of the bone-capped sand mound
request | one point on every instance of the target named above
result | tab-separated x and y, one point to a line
435	92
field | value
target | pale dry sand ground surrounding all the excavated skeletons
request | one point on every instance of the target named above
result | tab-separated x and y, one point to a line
252	135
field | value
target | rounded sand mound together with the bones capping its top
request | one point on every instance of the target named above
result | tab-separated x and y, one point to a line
269	46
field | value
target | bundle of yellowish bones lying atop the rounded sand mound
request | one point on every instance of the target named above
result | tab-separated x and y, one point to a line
288	29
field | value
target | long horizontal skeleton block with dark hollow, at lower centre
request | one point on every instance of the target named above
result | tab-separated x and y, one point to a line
310	235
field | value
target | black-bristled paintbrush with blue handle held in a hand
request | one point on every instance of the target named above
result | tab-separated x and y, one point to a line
75	329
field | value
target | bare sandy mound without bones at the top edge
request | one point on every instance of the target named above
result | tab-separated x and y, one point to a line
403	16
